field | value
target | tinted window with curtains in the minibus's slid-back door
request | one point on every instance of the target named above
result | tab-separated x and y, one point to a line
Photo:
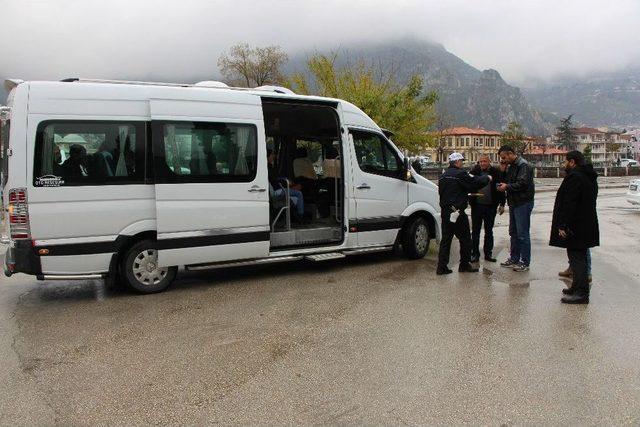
204	152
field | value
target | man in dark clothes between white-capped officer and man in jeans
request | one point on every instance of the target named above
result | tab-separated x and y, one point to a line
484	207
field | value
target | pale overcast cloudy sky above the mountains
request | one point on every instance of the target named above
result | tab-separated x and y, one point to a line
182	39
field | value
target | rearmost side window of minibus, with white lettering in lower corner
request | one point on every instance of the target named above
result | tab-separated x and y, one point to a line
72	153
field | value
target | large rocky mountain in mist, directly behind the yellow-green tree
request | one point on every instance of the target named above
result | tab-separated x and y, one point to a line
467	96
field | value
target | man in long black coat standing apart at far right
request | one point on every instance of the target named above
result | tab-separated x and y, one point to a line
575	223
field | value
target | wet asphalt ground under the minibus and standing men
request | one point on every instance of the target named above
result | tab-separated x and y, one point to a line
367	340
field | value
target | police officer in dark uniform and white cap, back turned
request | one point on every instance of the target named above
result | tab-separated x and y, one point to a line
454	187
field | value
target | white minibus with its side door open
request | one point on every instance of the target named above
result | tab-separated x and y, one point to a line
128	181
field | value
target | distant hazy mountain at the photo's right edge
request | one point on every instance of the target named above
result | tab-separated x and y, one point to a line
611	99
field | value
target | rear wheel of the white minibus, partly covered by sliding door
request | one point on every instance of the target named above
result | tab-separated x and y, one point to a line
140	271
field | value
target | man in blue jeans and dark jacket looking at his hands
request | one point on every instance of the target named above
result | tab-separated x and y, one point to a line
520	190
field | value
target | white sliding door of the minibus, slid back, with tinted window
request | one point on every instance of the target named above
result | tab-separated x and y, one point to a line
212	203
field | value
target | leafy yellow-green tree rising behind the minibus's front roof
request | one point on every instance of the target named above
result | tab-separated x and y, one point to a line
401	108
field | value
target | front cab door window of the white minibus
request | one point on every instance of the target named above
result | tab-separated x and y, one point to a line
375	155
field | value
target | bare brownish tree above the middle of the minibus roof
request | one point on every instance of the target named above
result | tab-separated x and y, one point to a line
250	67
